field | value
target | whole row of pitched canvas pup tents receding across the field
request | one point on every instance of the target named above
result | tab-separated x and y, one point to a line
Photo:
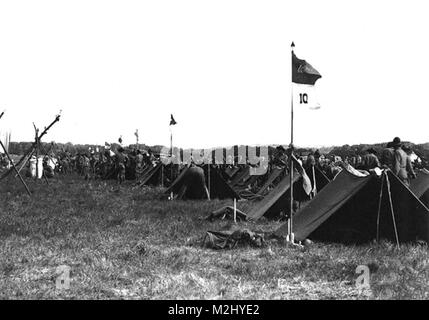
348	209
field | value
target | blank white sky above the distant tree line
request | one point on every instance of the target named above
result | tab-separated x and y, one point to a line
222	68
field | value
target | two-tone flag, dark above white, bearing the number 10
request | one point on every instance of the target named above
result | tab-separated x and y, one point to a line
304	77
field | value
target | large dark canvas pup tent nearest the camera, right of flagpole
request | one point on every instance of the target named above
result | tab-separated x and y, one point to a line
346	211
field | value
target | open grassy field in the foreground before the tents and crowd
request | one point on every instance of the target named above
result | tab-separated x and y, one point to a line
124	243
